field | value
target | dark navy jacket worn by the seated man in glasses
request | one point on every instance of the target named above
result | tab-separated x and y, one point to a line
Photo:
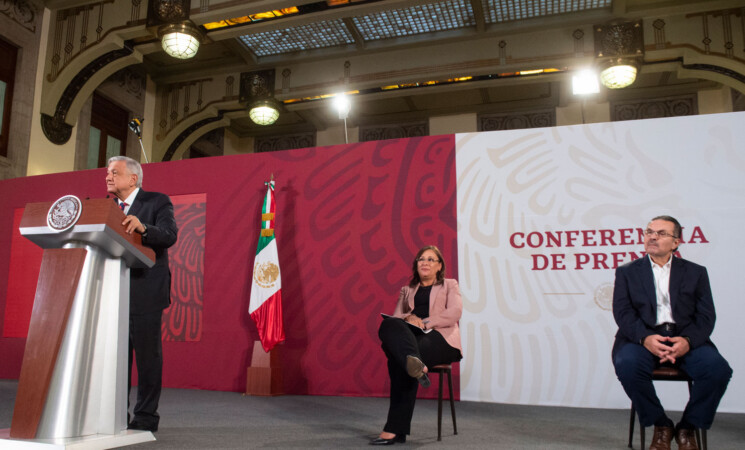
635	303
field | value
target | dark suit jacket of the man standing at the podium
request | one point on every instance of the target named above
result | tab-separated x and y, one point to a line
150	289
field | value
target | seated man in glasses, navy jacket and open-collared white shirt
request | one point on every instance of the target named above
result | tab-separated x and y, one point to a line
665	315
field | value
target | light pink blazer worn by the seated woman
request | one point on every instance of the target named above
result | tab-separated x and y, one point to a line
445	308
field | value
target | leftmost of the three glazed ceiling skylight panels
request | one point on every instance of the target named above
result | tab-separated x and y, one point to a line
305	37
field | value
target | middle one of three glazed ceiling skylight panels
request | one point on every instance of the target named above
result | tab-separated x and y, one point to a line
415	20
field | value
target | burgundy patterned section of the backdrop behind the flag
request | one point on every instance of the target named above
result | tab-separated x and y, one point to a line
349	221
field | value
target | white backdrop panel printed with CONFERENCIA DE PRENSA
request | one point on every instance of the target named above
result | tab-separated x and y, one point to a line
537	325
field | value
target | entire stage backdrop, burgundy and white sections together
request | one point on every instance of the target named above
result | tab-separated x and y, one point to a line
531	222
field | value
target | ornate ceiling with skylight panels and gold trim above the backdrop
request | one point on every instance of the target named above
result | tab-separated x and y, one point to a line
415	59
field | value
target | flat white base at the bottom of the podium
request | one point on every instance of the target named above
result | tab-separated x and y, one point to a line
93	442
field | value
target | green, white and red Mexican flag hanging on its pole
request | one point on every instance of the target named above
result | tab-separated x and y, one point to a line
265	307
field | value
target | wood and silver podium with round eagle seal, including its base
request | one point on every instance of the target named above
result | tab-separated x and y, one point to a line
72	391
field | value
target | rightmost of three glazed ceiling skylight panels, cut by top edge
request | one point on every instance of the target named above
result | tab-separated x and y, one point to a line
497	11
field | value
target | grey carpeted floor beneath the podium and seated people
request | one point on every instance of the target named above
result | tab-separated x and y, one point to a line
193	419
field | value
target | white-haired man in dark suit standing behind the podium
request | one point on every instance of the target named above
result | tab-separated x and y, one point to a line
151	215
